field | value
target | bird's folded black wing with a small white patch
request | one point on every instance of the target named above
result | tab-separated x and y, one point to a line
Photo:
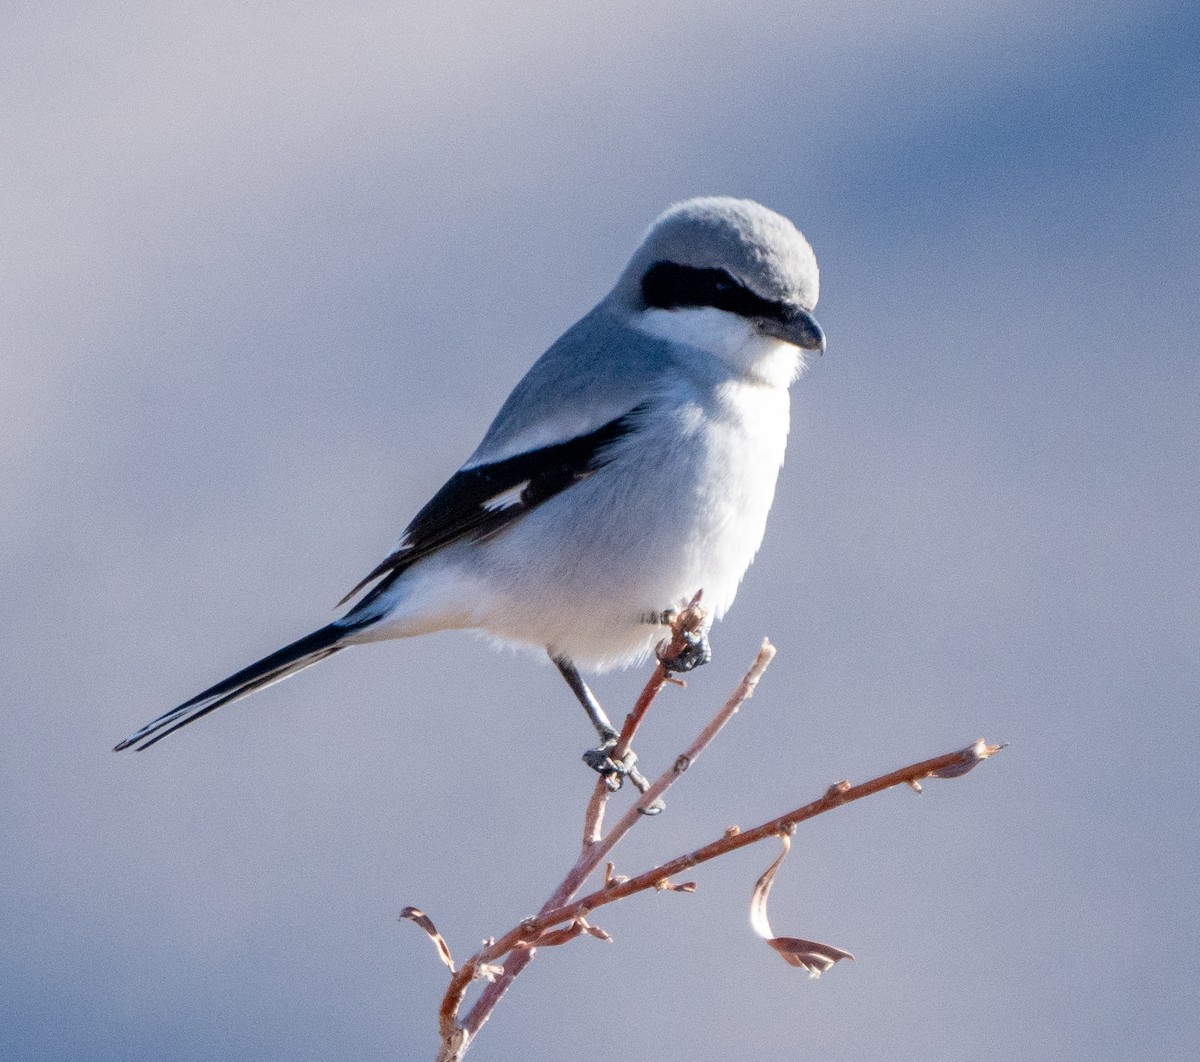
481	501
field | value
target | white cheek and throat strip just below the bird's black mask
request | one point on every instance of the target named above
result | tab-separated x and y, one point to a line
728	337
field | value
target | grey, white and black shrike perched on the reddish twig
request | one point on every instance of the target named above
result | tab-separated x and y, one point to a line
633	466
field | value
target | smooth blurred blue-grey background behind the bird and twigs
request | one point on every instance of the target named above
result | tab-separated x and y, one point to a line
267	273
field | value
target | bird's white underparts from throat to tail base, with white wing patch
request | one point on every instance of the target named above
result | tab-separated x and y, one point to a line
682	506
